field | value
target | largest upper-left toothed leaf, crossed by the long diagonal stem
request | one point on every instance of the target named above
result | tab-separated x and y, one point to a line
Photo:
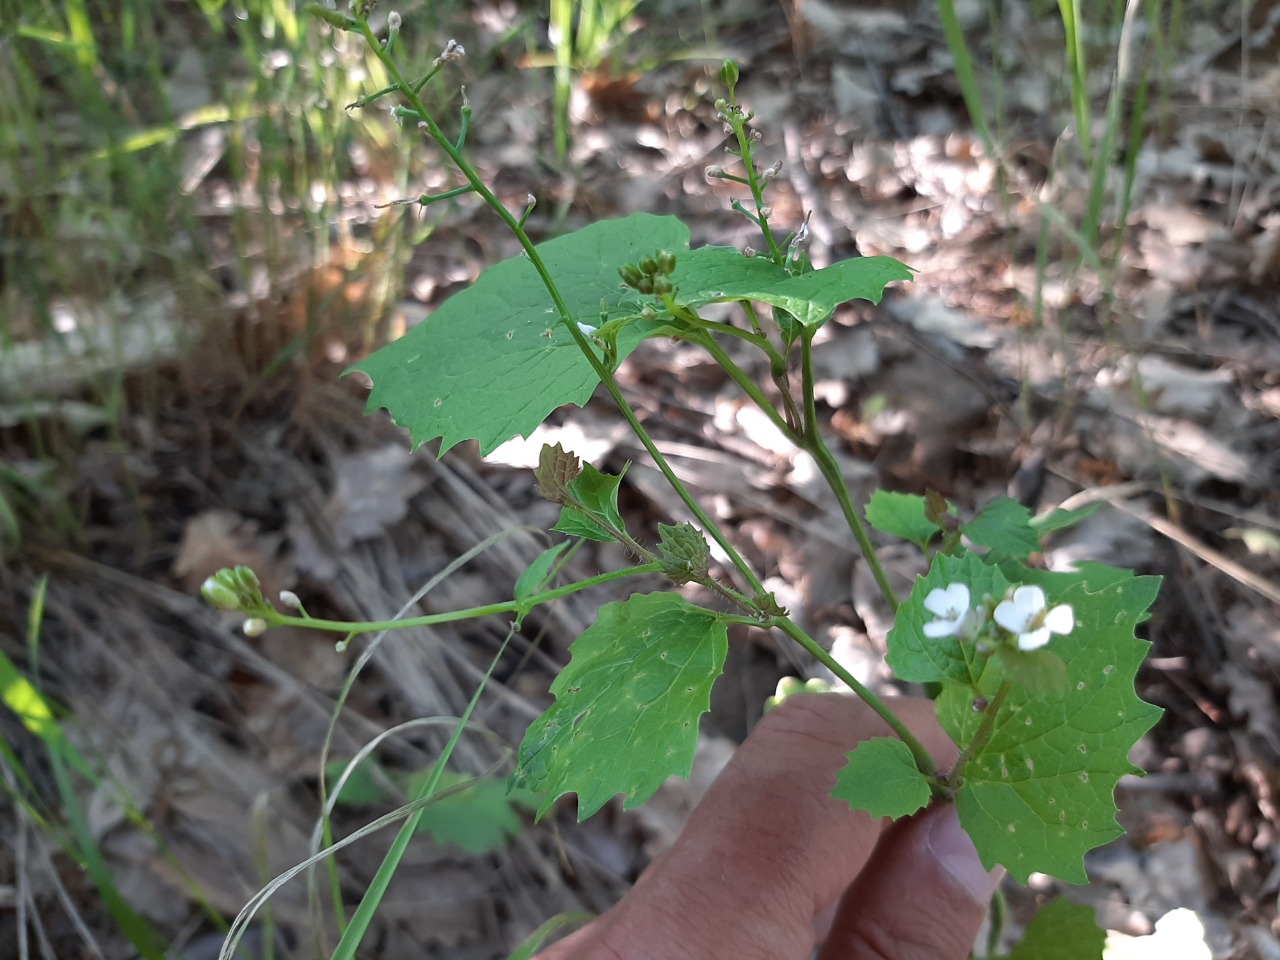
493	362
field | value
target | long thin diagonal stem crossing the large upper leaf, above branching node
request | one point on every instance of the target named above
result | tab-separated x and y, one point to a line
566	317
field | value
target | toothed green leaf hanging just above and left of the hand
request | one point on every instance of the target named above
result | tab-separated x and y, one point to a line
628	705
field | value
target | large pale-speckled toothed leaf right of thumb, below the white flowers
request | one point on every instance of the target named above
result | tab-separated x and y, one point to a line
1039	794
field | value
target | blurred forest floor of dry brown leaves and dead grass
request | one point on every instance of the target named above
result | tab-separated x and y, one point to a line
1136	365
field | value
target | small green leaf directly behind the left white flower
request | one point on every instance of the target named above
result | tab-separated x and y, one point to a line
917	659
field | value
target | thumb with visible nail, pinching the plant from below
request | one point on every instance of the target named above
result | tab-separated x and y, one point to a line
922	895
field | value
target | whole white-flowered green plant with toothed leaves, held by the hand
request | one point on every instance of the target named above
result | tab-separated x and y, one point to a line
1043	730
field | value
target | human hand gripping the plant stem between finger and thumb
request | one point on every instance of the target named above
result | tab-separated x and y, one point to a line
770	865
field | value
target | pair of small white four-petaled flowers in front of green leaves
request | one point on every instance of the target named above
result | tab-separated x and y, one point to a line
1025	614
